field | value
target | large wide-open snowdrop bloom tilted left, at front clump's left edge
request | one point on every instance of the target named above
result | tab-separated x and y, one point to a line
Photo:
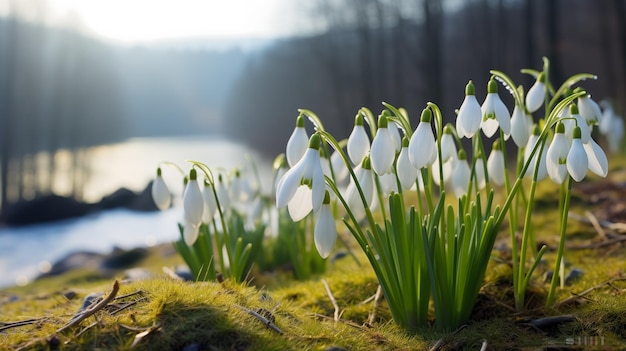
306	174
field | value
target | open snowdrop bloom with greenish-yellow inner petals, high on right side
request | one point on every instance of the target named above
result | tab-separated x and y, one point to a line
494	112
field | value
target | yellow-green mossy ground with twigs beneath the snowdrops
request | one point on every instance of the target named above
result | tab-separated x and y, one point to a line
166	314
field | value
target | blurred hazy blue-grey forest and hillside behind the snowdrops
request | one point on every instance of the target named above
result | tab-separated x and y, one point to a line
63	90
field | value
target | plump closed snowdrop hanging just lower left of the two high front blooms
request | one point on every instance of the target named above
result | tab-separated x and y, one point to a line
422	146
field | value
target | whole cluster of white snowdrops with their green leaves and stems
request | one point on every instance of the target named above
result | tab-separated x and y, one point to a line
388	185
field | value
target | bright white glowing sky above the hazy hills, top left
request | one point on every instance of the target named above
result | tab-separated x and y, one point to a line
132	21
